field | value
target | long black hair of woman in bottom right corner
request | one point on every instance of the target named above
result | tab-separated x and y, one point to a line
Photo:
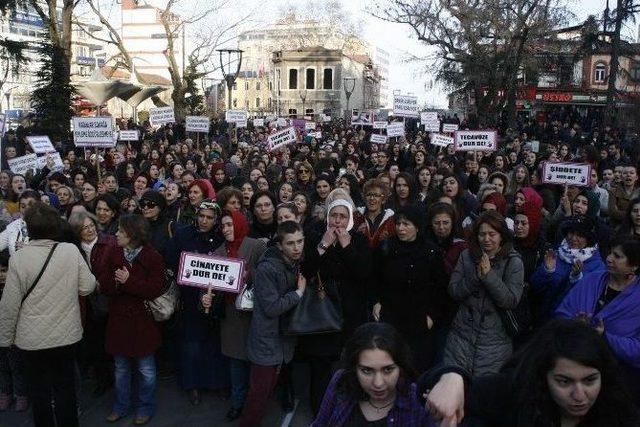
578	342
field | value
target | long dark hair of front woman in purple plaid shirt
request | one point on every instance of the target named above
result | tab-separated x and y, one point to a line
372	336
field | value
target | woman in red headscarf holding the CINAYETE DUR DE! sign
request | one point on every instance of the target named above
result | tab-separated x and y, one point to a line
234	326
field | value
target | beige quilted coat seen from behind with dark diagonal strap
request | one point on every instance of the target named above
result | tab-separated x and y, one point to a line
50	316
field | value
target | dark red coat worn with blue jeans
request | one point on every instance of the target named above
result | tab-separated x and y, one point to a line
131	330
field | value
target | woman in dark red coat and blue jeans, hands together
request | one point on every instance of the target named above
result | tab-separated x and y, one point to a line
133	274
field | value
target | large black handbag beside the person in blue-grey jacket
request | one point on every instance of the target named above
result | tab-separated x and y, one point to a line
318	312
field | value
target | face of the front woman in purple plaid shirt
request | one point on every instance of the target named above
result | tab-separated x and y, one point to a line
377	374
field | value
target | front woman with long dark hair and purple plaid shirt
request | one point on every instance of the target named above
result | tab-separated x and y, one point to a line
375	385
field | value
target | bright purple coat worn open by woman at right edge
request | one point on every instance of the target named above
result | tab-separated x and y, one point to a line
621	317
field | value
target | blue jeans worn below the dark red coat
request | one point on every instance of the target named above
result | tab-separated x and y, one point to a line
146	385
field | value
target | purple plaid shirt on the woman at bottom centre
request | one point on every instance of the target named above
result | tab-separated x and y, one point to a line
336	410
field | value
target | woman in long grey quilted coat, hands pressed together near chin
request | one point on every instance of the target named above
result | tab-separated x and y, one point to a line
489	277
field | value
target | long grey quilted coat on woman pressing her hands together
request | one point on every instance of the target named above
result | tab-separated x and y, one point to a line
478	341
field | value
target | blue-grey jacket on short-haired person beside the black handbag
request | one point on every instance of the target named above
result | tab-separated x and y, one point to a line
274	294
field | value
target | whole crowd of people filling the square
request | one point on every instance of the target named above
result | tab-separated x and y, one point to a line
462	285
